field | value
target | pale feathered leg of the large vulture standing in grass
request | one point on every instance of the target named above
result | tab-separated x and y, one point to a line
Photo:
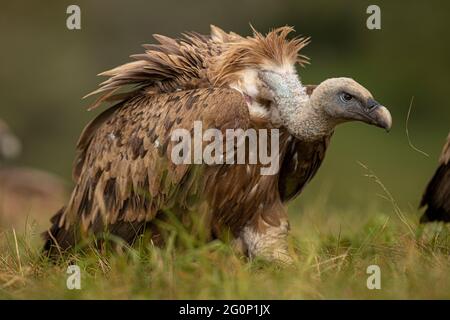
265	236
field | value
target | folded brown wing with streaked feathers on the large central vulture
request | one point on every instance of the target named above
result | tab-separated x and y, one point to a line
124	174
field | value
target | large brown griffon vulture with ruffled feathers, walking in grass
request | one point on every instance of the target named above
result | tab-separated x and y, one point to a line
123	173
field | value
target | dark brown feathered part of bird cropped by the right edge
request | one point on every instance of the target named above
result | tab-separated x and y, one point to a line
437	193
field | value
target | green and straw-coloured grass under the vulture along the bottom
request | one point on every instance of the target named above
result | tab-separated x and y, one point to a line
333	249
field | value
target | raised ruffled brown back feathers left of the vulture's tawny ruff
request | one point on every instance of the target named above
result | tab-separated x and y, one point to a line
165	67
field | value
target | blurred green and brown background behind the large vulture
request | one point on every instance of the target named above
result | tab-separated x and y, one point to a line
46	69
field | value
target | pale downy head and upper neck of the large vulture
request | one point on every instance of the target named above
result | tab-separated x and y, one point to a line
335	101
